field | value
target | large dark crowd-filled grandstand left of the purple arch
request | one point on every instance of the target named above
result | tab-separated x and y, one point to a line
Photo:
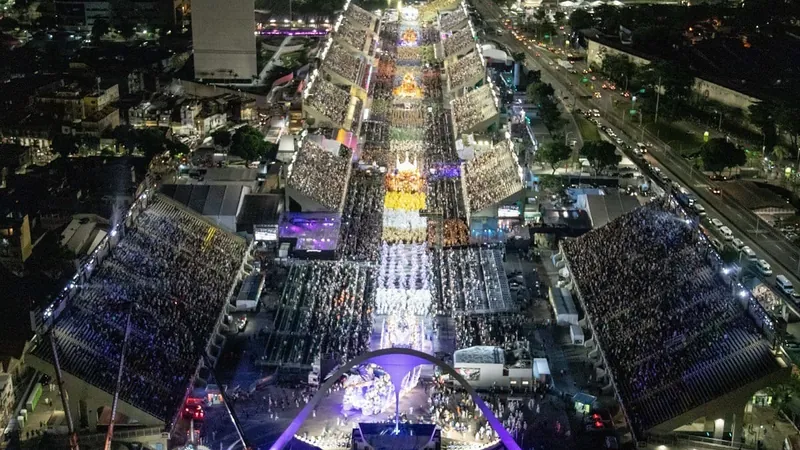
172	271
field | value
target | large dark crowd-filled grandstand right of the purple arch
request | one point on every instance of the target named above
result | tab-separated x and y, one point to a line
696	353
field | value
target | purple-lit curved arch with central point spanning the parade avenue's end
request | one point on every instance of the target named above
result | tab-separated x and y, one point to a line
396	362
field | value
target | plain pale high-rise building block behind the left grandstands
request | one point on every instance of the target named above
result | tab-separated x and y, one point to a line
224	40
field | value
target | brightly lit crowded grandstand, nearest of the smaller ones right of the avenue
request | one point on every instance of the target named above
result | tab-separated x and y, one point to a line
492	176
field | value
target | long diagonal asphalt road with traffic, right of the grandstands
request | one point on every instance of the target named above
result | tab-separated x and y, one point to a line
768	243
